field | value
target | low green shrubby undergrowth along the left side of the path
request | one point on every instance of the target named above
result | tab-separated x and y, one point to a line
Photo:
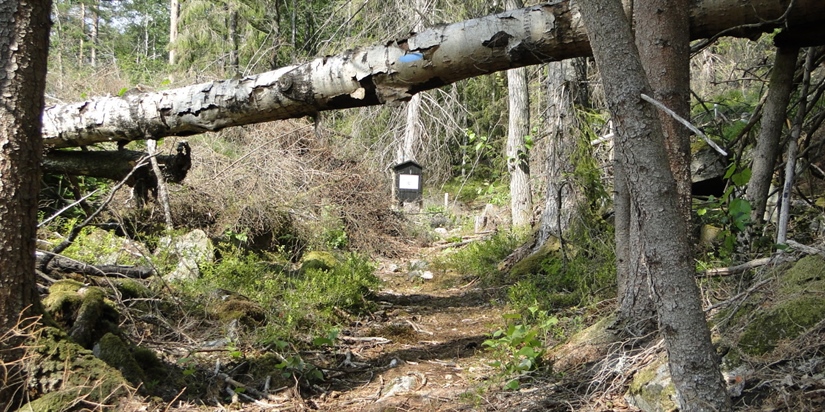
277	301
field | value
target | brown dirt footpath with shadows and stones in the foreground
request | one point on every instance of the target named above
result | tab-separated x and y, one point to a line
421	351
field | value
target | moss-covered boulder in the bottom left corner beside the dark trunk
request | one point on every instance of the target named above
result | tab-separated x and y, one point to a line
61	371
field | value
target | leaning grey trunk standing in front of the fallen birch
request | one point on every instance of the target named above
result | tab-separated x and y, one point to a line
666	256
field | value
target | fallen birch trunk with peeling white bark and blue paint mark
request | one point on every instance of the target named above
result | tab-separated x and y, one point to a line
387	73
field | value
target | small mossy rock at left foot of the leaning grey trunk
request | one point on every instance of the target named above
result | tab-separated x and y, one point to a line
652	389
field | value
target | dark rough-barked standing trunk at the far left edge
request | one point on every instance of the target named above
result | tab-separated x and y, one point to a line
24	45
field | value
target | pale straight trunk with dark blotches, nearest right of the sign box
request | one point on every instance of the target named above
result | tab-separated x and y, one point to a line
518	156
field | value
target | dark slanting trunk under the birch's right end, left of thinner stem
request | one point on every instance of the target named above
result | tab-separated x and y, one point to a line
773	120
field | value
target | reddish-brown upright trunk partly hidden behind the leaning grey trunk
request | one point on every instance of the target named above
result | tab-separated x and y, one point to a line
663	41
